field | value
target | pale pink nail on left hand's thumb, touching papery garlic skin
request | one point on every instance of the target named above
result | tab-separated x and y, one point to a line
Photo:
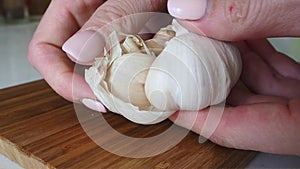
84	47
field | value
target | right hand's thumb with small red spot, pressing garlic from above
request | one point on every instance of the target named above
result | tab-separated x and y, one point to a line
233	20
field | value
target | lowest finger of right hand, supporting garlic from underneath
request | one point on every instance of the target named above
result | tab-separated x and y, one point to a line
269	127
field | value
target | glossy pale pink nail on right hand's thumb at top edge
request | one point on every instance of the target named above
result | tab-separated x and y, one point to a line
187	9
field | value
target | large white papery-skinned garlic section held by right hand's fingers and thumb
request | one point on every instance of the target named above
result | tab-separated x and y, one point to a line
192	73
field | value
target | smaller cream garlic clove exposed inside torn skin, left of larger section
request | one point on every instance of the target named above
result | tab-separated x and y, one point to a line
126	78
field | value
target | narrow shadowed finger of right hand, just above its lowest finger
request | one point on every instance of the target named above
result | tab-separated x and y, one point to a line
241	95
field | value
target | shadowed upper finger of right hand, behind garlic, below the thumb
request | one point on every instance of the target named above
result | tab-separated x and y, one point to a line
261	78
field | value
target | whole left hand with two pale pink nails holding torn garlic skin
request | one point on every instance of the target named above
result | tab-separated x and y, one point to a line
76	23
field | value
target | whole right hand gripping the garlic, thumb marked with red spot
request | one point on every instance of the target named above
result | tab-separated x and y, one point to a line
265	103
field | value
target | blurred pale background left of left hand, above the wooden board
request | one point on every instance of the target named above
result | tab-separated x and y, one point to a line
18	20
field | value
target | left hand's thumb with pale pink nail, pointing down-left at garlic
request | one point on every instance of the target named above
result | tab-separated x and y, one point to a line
88	43
